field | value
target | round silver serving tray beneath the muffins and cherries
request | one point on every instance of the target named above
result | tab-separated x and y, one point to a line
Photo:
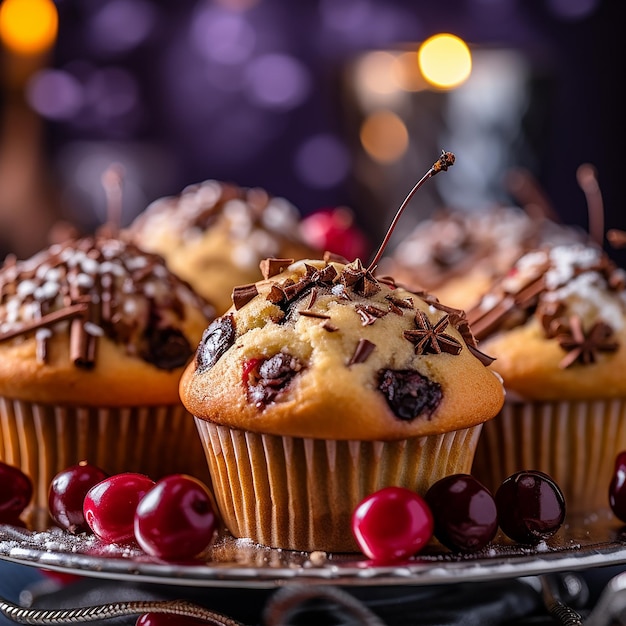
579	544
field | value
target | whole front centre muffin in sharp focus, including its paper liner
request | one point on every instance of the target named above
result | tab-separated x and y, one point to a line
323	384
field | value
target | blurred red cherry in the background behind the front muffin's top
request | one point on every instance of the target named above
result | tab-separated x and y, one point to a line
334	230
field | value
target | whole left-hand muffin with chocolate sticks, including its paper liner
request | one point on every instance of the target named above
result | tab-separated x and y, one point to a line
94	335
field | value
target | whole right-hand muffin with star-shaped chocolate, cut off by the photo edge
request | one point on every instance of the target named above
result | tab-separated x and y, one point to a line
556	325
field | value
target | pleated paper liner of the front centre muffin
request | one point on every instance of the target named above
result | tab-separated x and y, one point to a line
299	494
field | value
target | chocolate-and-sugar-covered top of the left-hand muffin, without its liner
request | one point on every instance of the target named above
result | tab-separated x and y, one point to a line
96	321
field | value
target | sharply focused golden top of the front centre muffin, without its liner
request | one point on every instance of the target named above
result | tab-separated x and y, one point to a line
324	349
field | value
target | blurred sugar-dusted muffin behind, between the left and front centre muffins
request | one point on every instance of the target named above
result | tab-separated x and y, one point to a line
215	234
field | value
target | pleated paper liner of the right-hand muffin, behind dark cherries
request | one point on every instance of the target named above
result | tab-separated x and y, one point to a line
575	442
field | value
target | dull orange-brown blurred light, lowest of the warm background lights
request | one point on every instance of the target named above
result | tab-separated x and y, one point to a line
384	137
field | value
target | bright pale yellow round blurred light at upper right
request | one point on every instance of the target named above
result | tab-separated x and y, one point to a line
445	60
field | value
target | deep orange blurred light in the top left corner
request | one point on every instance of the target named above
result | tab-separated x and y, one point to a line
28	26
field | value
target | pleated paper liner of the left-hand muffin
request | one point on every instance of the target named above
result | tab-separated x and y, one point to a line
44	439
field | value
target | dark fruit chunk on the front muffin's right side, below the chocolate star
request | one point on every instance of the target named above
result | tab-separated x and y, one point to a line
409	393
